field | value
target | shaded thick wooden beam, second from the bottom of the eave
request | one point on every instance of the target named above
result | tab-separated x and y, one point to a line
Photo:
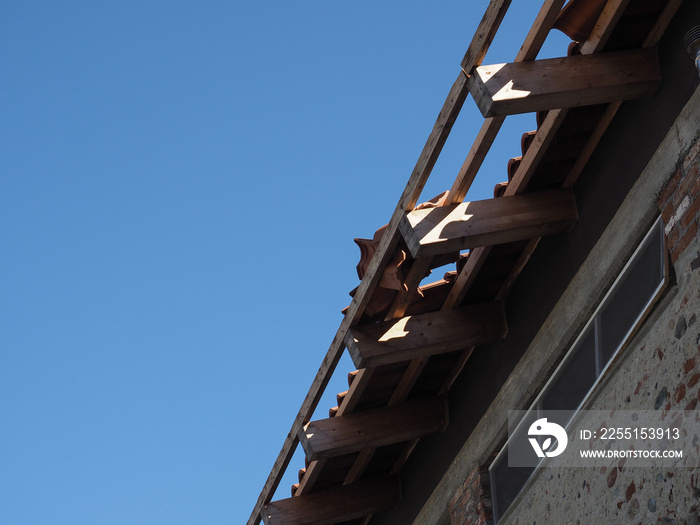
351	433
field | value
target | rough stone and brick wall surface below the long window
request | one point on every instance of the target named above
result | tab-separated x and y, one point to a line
659	371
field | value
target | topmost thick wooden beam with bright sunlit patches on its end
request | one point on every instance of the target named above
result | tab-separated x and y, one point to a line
581	80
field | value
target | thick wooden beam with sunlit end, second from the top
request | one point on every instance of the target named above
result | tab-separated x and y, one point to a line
489	222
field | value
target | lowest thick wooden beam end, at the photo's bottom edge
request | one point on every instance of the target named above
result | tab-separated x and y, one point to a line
335	505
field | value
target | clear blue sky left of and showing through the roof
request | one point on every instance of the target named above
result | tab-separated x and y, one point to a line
181	183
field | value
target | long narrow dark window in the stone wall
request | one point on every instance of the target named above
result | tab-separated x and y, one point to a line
618	316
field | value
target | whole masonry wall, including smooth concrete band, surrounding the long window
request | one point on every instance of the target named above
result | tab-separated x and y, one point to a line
657	371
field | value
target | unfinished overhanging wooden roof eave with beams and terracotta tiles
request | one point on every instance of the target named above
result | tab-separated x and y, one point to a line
411	341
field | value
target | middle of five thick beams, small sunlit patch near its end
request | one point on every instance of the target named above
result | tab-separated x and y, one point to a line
426	334
